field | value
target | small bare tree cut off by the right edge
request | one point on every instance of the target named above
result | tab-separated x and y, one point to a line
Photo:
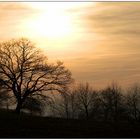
133	101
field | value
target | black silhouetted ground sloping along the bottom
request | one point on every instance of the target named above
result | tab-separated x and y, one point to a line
24	126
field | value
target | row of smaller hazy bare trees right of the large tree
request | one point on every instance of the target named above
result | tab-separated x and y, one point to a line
108	104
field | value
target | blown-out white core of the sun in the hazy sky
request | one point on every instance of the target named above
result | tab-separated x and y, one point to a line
52	25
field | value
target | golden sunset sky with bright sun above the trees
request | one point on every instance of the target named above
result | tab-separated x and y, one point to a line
98	41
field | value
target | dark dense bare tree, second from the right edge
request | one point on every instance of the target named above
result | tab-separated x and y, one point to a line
111	98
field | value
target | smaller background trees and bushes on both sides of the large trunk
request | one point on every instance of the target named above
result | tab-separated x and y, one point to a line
83	102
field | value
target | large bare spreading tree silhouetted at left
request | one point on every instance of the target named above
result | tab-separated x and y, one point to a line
24	71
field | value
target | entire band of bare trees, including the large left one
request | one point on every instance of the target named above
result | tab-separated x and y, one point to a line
28	82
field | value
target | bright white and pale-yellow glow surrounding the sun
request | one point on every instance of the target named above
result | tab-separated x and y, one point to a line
55	26
